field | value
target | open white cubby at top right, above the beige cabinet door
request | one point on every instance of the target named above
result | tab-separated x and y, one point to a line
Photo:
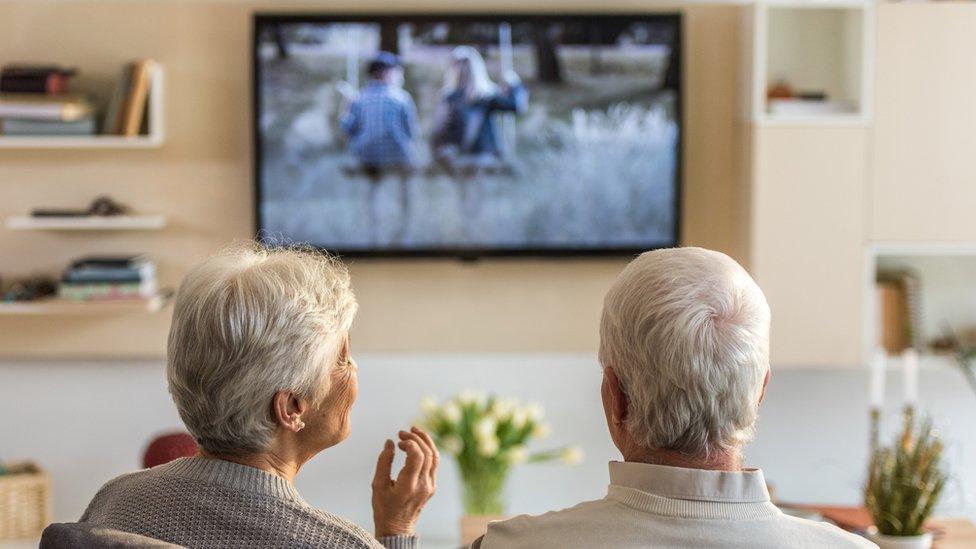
814	46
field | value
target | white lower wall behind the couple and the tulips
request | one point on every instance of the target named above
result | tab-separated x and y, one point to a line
86	422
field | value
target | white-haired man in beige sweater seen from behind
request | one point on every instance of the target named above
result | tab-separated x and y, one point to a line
684	344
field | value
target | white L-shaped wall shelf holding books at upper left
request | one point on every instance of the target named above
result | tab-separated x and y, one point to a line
153	139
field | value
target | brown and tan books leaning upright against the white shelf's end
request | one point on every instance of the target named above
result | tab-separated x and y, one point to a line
127	109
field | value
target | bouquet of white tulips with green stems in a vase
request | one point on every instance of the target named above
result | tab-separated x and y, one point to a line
487	436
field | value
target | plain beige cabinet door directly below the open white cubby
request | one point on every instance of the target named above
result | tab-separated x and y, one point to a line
808	203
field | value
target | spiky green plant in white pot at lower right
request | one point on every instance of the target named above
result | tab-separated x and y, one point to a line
903	487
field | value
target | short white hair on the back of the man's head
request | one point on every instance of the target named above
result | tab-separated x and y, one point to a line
686	331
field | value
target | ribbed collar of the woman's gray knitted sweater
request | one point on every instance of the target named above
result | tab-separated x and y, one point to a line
231	475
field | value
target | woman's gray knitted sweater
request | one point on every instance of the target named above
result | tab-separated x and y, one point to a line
198	502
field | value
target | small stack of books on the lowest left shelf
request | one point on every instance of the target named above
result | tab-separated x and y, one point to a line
98	278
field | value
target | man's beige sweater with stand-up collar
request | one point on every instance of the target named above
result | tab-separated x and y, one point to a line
663	507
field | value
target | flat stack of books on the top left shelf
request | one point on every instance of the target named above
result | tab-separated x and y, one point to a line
34	100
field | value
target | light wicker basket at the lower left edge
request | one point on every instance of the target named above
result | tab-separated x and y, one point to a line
25	501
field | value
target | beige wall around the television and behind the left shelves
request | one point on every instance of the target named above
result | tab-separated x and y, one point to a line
201	180
